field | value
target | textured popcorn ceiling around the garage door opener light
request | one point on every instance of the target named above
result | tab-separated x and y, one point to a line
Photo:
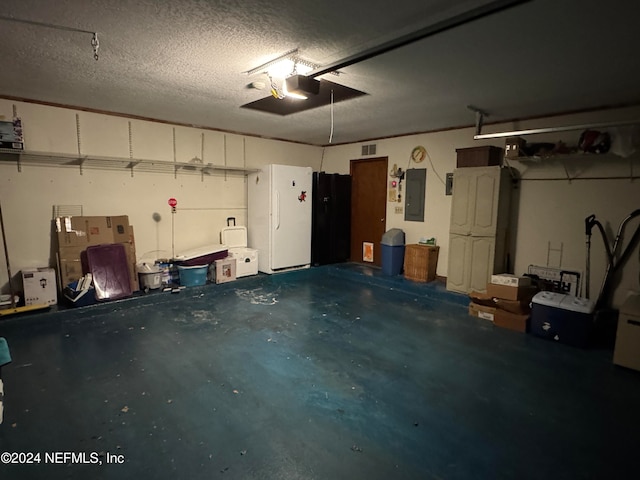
182	61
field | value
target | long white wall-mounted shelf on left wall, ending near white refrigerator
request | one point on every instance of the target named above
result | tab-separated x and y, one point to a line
63	160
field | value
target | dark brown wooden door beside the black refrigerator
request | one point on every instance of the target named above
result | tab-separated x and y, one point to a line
368	206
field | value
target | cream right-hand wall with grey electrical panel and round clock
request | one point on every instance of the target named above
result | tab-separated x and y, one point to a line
551	213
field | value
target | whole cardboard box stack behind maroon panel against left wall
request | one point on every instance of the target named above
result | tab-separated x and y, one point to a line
75	234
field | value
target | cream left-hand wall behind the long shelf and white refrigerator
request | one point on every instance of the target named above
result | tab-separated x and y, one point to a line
204	203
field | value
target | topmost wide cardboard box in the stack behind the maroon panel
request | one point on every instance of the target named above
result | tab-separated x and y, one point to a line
85	231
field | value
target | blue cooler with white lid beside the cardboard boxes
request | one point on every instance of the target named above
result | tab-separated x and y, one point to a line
563	318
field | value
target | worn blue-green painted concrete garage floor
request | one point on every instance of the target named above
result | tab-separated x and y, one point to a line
334	372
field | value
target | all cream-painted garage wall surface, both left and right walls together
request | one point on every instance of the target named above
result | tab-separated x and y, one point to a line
550	213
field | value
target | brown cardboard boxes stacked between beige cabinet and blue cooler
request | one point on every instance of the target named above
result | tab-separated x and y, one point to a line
507	302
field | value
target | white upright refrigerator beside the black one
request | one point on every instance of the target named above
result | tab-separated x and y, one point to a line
279	217
